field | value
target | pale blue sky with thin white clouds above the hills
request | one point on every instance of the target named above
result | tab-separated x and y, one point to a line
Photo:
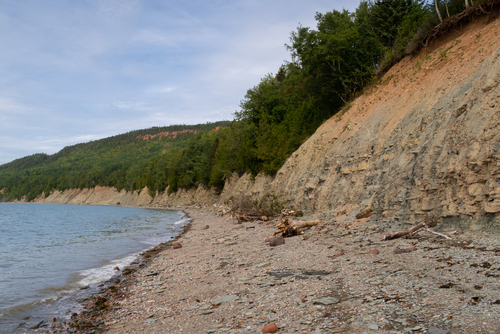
76	71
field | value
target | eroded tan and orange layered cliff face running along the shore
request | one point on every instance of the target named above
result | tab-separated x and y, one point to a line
422	144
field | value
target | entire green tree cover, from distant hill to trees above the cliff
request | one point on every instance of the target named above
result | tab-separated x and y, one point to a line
330	66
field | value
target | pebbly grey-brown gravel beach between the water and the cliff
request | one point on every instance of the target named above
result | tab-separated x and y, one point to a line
337	278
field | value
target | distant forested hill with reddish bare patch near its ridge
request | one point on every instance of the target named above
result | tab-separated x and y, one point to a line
124	161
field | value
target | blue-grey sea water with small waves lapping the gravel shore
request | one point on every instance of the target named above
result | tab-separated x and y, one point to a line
49	252
